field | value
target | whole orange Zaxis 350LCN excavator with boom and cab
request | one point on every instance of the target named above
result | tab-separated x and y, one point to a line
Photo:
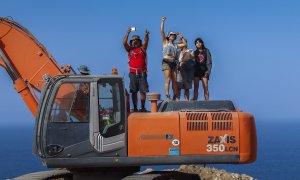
83	121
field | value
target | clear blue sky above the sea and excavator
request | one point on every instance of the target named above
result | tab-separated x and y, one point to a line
254	45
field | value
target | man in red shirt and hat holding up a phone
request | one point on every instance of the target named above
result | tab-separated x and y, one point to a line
137	67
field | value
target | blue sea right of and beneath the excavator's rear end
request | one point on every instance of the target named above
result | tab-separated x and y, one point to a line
278	154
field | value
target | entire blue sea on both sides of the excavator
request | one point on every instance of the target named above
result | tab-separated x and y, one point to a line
278	152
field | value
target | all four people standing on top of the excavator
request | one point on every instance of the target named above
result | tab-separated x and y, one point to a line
180	65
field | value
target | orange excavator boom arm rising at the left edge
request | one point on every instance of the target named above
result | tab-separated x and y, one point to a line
26	61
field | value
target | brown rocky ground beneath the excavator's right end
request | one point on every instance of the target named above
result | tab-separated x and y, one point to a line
200	173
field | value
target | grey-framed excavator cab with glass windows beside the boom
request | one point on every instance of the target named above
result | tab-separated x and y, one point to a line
81	116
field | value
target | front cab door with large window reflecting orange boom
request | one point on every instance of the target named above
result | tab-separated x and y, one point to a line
63	118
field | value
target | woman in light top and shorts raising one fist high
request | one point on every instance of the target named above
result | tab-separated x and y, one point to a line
168	62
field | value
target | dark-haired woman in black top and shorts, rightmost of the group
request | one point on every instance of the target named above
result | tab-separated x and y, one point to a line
202	68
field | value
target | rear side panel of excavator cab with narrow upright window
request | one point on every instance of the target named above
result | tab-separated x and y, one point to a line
109	114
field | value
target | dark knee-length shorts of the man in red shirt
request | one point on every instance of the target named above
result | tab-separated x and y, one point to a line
138	82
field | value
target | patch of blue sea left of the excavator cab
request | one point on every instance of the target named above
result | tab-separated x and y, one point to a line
16	156
